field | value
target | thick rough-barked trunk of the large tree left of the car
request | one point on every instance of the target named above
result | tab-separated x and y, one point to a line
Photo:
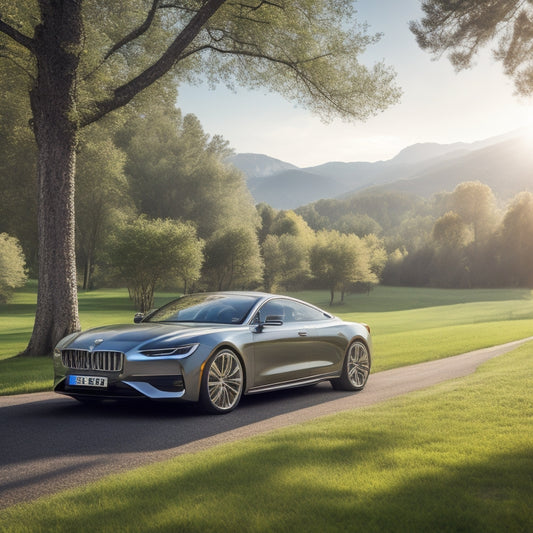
55	126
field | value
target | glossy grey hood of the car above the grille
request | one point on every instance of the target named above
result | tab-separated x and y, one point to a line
128	336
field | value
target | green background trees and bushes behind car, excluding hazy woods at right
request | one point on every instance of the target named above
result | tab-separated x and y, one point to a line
158	206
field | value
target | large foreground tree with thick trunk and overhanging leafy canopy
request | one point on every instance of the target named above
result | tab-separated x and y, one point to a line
87	58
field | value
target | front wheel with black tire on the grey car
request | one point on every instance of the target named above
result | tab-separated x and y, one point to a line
222	382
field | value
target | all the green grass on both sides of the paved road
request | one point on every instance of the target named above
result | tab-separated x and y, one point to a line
455	457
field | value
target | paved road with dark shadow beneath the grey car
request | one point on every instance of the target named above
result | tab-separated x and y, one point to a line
50	442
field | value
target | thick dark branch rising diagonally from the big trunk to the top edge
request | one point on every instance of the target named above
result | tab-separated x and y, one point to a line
123	94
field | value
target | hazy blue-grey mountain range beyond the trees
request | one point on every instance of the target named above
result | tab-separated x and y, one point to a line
504	163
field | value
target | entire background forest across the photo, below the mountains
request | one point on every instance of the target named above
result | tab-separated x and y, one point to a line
158	206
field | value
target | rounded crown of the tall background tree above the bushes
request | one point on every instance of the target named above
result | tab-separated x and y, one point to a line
177	171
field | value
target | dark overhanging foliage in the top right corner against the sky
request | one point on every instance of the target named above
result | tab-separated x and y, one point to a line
461	27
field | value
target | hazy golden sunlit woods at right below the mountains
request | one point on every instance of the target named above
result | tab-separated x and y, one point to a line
461	239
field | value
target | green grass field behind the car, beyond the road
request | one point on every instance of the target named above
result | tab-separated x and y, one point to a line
408	325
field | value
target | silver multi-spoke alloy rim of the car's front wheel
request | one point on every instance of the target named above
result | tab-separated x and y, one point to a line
225	380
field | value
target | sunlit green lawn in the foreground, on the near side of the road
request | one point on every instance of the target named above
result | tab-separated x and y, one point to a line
454	457
